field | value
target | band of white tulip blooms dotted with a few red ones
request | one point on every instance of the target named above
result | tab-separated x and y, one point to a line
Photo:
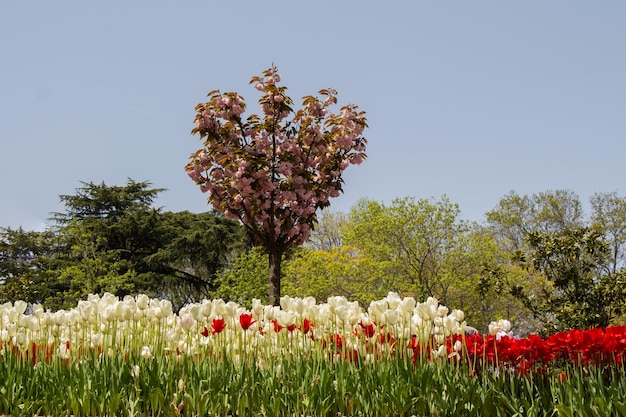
106	324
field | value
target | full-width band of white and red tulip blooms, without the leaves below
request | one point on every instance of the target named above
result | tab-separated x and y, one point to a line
300	326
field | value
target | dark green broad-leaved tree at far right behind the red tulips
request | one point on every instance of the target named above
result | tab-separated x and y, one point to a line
576	293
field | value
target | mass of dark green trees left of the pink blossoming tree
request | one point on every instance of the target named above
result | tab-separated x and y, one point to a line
110	239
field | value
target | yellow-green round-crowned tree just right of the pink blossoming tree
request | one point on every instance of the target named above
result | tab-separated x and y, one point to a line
413	236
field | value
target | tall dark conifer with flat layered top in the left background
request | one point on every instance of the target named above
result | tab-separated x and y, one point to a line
112	229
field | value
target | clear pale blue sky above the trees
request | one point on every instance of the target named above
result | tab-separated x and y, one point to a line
471	99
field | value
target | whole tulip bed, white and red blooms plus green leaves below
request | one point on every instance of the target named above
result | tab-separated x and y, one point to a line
136	356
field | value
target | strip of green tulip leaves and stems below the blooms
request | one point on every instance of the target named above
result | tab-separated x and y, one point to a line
290	386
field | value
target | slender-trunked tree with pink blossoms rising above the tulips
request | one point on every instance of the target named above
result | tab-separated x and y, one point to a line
274	171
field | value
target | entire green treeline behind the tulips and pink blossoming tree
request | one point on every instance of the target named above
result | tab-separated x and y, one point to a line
535	260
